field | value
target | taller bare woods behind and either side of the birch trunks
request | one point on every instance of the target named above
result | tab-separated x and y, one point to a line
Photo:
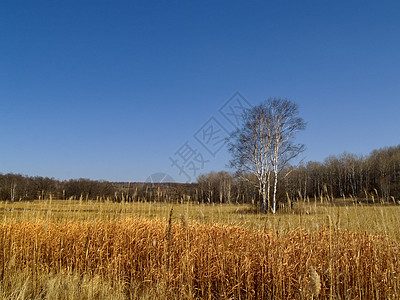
367	178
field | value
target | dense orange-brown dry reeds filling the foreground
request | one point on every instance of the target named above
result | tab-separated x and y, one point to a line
176	260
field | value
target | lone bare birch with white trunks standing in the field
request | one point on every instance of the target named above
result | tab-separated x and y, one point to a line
264	144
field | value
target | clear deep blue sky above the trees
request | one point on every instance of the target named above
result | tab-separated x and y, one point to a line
114	89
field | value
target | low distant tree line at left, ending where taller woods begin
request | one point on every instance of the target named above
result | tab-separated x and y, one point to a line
17	187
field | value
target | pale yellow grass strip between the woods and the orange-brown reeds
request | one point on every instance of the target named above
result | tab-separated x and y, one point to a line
374	219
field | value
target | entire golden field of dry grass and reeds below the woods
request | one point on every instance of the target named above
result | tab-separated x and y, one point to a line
95	250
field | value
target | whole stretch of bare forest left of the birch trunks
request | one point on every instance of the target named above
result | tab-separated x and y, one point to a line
215	187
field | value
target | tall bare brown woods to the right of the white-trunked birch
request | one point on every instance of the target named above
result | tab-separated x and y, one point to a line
368	177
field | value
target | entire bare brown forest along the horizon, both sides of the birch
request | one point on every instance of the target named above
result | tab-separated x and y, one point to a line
372	177
